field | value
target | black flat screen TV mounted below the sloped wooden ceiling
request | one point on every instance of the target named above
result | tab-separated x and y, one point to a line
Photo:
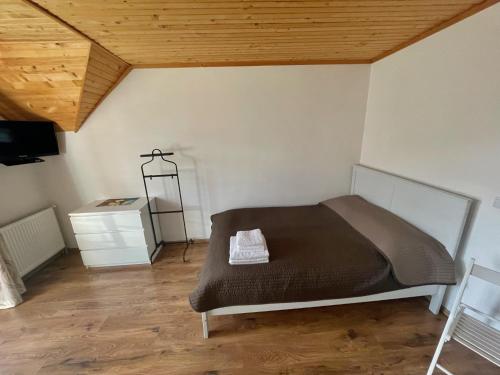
25	141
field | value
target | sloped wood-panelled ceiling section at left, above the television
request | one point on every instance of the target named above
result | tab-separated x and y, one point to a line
45	71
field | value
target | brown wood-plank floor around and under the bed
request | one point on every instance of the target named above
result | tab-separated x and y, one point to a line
138	321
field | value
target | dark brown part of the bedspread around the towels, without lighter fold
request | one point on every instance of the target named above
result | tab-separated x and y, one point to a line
314	254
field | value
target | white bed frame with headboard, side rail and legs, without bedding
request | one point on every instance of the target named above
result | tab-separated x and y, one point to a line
440	213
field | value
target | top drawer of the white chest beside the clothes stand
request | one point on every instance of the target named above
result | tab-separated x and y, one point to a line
106	223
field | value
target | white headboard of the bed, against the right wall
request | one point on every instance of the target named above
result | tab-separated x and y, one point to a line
437	212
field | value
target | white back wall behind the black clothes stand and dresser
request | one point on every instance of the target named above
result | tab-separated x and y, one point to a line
253	136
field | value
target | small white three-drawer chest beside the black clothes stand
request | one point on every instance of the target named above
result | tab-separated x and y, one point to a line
115	235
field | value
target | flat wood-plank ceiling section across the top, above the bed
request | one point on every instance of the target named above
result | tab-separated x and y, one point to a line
240	32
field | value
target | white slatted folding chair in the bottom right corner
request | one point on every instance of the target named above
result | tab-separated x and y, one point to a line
465	328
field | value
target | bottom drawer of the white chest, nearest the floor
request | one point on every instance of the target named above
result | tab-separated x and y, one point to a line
115	257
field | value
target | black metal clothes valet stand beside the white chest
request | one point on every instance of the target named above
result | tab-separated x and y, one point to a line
155	154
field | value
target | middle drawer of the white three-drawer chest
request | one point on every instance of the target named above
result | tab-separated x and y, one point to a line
110	240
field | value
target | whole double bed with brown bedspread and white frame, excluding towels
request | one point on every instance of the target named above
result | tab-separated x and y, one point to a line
390	238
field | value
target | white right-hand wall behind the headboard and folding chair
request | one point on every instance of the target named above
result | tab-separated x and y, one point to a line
433	115
